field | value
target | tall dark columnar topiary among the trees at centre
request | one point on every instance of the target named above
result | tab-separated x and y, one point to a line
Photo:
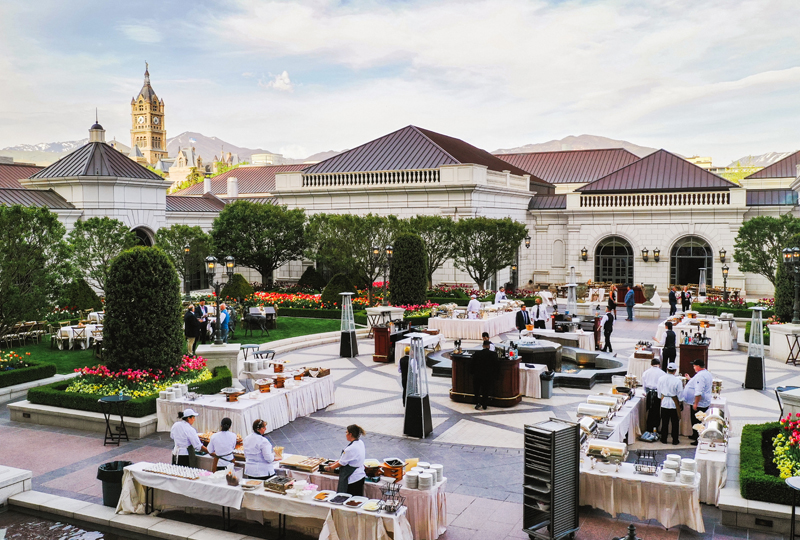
408	278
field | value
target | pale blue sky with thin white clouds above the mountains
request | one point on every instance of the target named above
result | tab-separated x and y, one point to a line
711	78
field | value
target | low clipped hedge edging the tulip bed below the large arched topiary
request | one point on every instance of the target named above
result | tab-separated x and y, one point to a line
54	395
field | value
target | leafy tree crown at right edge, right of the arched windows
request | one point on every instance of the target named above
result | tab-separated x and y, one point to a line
759	242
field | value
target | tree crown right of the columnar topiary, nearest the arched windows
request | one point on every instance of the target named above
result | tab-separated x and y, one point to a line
482	246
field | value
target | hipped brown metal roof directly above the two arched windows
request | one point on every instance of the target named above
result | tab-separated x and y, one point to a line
660	171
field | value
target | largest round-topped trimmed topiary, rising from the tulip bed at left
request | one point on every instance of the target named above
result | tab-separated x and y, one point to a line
143	326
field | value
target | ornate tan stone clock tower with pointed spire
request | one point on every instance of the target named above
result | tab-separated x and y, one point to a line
148	131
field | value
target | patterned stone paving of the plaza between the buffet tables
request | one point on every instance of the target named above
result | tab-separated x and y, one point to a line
481	450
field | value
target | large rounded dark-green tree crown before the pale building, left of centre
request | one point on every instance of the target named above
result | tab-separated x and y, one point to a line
259	236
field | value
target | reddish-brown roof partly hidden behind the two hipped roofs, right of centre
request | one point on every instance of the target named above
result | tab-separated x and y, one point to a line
571	166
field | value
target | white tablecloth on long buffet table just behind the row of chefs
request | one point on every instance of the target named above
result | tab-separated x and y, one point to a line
277	408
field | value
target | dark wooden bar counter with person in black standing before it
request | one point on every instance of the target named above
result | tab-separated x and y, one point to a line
505	387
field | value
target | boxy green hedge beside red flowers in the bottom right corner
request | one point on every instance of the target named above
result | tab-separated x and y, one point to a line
755	484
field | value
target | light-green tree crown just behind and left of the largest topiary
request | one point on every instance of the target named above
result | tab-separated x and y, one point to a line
95	242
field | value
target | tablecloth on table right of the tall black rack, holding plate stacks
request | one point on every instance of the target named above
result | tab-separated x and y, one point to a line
643	496
